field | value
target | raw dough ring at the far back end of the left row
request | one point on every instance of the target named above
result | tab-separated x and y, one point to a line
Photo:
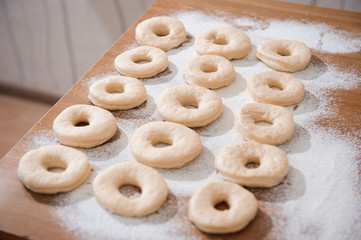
161	32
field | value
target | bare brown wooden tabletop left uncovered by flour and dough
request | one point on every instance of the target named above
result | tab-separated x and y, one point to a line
28	215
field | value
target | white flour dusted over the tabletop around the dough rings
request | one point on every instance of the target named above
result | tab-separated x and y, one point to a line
320	197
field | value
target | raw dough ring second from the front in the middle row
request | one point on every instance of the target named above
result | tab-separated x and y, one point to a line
184	144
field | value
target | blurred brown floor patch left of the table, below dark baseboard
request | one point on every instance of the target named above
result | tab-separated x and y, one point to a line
17	116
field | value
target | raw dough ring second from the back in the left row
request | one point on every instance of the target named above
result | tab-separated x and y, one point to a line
141	62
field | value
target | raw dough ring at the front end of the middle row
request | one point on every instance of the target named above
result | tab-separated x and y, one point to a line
154	190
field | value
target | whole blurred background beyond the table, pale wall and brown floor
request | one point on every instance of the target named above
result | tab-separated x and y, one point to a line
47	45
